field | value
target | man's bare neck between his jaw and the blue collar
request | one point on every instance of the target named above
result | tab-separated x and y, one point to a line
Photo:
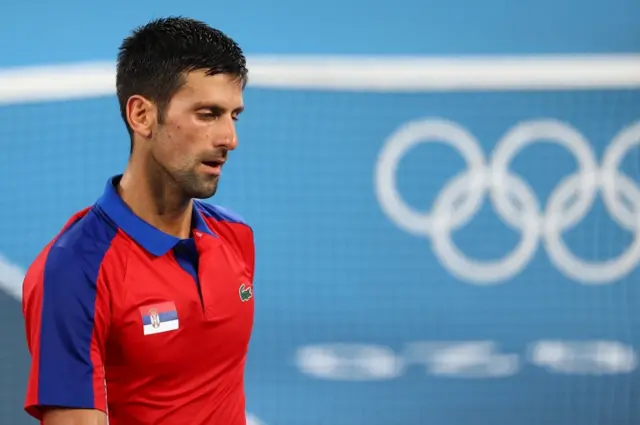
156	200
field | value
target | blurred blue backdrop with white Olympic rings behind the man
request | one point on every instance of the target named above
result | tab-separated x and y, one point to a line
444	196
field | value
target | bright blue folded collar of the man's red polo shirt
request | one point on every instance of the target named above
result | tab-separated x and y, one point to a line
153	240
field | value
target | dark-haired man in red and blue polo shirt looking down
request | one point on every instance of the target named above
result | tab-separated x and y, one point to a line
140	311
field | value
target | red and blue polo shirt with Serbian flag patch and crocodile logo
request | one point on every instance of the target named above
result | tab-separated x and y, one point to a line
124	318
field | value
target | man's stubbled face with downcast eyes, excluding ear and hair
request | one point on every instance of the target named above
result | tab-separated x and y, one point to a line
198	132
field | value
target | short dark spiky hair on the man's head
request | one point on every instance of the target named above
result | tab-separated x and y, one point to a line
154	59
